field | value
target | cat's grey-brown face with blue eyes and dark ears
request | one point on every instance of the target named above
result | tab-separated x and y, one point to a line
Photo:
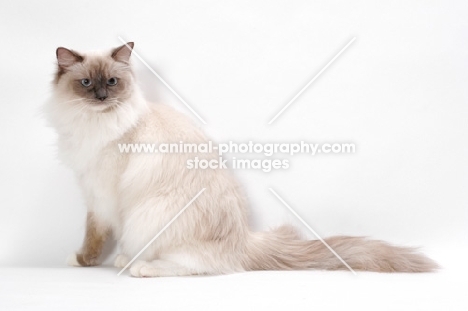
101	81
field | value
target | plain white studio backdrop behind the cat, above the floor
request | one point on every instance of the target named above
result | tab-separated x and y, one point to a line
399	93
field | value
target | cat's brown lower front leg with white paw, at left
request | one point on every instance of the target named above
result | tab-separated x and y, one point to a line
95	237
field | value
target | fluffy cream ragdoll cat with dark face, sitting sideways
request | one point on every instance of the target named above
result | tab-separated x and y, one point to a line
96	105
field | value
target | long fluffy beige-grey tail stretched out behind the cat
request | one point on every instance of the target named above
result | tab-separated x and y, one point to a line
282	249
